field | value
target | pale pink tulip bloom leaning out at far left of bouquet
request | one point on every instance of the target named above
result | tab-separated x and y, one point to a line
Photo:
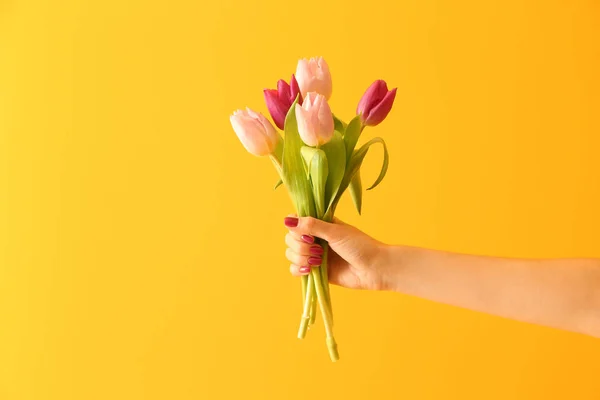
255	132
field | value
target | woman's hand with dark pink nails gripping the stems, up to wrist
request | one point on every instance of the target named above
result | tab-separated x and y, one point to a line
355	261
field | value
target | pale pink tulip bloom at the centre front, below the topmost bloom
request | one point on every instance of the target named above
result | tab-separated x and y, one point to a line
315	121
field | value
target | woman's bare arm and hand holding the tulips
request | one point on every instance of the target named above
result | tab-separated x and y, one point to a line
559	293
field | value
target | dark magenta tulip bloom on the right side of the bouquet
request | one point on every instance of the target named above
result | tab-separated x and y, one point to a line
376	103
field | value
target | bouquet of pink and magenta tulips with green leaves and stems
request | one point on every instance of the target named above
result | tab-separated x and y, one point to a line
316	159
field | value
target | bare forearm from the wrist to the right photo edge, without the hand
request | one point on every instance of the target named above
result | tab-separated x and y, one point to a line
563	293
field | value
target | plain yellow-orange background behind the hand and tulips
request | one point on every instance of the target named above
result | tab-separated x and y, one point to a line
141	248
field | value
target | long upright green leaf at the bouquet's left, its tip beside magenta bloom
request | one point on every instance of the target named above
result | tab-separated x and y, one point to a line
293	173
